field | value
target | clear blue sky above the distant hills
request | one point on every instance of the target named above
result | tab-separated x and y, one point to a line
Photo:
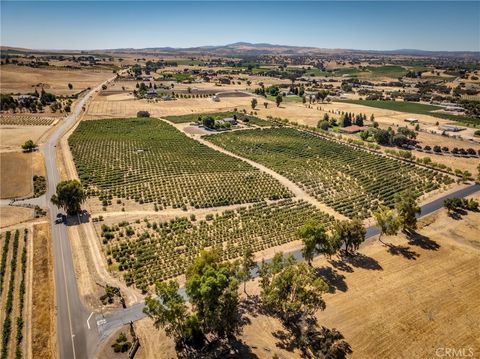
376	25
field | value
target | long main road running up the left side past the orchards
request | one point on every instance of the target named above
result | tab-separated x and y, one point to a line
75	339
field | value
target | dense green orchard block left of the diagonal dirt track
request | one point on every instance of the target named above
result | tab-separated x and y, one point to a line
149	161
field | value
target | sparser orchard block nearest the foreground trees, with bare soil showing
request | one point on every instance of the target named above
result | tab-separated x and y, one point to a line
153	251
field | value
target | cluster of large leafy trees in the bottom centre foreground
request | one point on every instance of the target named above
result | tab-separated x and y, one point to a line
291	291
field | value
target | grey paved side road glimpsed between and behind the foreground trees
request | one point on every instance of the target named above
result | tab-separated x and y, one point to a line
109	323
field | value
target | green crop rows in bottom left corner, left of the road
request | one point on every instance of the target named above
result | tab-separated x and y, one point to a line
13	267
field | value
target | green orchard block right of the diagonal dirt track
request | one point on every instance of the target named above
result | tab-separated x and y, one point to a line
352	181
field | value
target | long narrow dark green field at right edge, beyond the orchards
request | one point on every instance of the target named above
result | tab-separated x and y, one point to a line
414	107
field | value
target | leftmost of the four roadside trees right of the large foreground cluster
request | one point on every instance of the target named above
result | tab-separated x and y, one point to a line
315	241
